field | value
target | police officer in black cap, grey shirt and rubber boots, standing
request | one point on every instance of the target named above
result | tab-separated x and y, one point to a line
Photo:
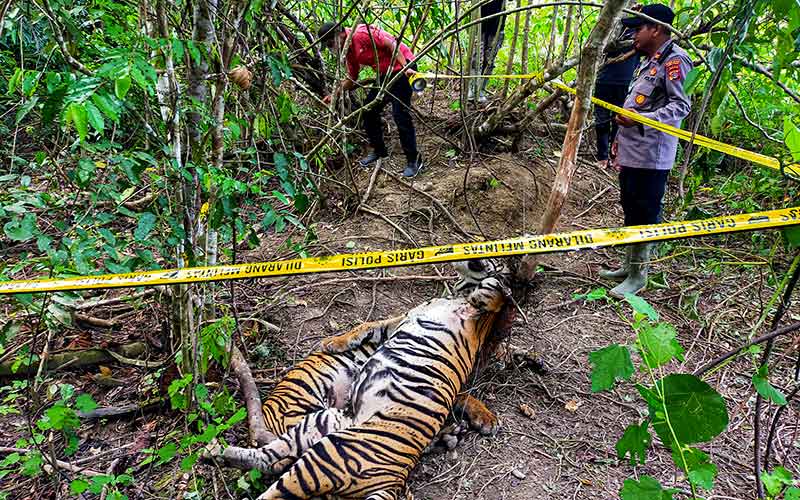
644	156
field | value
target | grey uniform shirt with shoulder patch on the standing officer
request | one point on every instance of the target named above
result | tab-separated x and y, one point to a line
657	93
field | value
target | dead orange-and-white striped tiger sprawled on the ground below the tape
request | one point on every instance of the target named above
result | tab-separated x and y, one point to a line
401	394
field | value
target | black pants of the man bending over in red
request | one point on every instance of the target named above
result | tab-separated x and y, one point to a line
399	94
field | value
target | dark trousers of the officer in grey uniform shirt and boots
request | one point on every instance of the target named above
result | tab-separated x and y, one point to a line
641	192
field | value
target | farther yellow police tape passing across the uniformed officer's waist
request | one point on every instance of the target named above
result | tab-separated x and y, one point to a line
417	82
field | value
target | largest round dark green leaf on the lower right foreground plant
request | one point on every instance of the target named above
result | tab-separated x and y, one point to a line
697	413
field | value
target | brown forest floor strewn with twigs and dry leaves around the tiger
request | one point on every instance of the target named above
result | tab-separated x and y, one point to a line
556	438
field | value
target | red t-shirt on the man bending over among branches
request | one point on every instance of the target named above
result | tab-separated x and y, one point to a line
362	53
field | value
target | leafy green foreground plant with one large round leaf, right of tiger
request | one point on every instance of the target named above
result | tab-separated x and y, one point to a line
682	409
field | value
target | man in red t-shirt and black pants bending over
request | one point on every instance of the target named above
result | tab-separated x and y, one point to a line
392	57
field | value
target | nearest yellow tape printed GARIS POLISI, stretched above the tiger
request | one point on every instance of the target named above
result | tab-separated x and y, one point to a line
540	244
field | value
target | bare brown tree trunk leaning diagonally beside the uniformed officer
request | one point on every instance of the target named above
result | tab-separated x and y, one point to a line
587	73
